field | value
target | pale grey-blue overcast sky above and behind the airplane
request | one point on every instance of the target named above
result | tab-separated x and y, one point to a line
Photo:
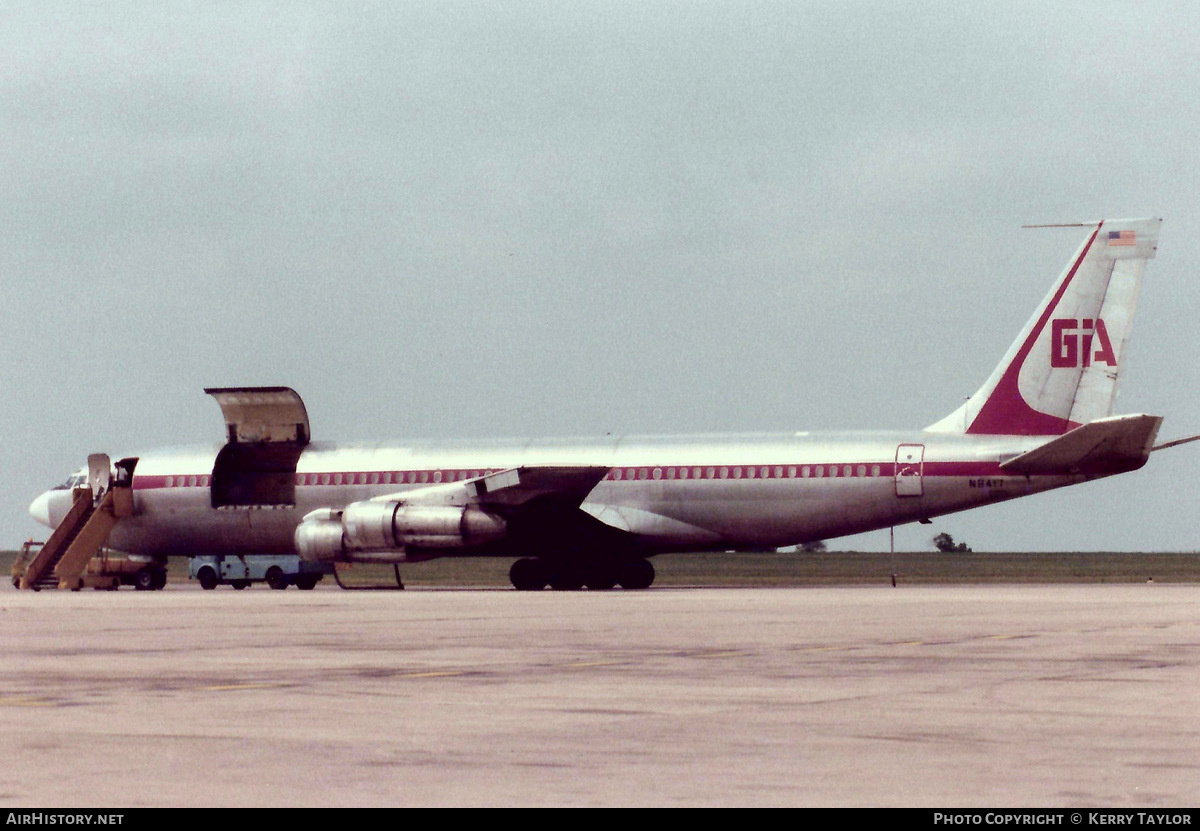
555	219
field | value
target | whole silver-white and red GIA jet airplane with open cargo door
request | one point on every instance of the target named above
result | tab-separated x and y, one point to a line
590	513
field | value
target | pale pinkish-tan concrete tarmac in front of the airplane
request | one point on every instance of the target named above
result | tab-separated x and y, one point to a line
941	697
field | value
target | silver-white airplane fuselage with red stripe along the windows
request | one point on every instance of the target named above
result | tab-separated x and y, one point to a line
671	494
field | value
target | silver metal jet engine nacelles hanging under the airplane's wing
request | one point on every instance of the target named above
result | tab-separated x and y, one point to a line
382	531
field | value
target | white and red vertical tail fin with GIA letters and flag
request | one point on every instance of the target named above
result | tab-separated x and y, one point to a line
1063	370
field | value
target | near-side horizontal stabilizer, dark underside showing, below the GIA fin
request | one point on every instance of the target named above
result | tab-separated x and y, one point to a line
1106	446
